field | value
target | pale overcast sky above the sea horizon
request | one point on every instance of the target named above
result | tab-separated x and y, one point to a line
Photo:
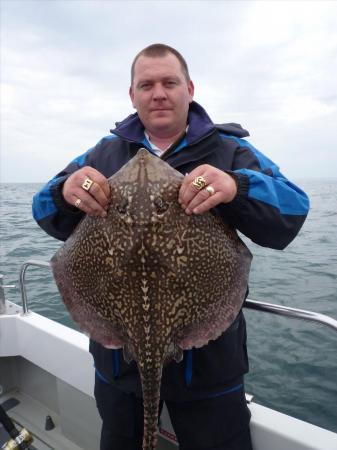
271	66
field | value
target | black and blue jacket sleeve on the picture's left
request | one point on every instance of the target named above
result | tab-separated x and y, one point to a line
52	213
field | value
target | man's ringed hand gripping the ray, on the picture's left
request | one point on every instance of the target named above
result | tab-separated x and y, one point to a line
93	202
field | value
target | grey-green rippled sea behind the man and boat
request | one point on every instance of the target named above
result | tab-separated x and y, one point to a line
293	364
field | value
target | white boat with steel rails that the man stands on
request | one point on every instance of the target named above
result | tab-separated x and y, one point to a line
47	380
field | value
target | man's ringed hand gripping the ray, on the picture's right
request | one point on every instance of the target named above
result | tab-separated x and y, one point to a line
198	201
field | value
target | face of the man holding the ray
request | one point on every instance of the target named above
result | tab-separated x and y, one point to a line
161	94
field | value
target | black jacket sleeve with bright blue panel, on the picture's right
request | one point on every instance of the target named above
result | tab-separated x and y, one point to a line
268	208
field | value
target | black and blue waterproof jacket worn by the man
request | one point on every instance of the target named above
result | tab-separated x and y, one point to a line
268	209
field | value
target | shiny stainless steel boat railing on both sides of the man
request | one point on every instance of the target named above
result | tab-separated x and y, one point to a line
286	311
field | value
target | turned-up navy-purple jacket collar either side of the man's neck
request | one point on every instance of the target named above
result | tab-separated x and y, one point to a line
199	122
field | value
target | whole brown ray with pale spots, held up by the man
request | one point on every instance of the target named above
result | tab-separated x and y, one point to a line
149	278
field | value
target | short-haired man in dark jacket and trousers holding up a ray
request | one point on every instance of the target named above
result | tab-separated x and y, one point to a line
204	393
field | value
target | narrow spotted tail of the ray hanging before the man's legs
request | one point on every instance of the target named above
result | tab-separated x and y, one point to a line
151	396
